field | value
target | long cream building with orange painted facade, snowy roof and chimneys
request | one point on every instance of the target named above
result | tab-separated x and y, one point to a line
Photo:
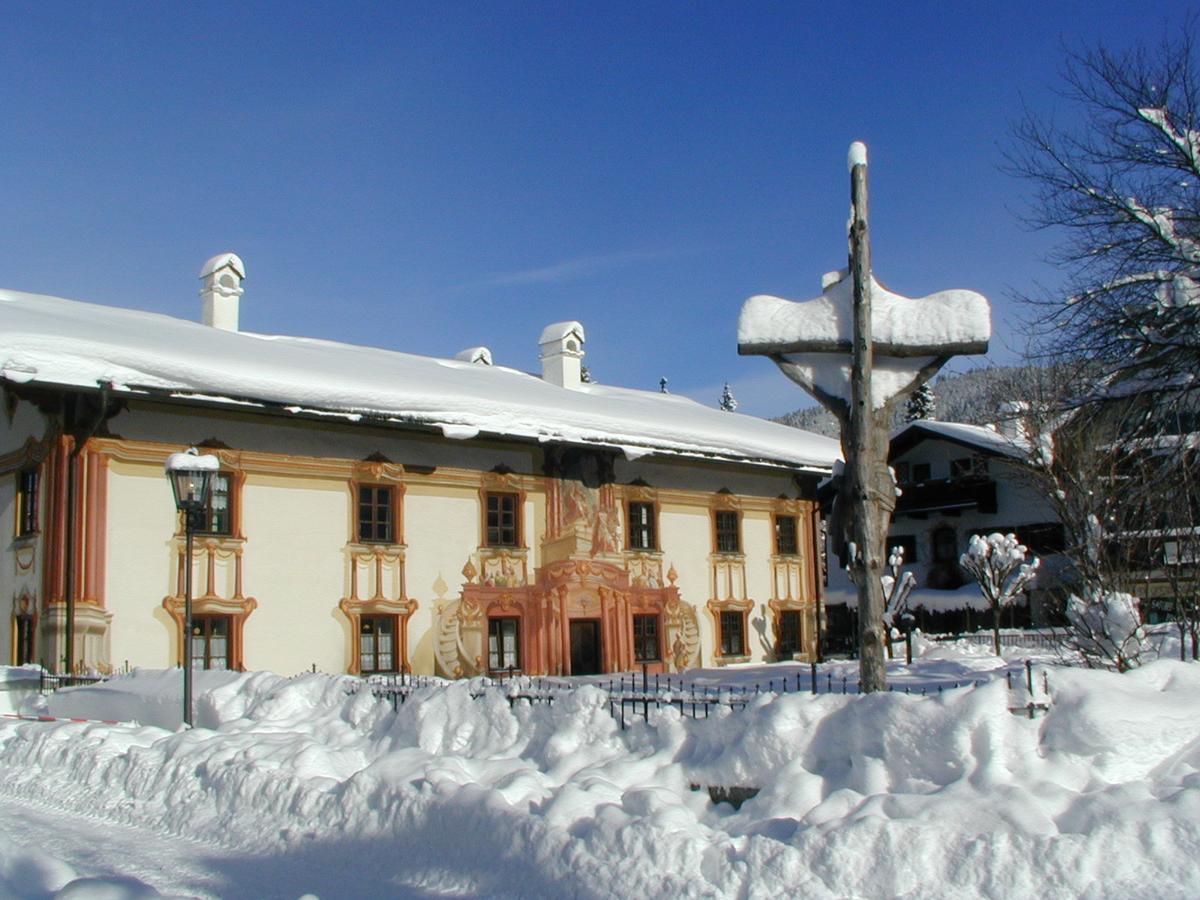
453	543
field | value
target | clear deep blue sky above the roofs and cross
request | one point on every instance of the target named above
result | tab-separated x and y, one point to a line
434	177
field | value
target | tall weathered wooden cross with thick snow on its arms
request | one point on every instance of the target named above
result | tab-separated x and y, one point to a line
857	349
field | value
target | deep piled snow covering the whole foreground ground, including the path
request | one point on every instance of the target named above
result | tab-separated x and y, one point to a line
293	787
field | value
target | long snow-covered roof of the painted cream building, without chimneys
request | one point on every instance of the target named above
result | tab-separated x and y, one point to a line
65	343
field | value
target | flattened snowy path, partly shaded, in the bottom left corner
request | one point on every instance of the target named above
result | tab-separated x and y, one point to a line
44	850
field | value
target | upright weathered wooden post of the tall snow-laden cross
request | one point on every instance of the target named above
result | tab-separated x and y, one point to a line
865	449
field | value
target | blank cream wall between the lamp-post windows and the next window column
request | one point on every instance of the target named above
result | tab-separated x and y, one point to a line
297	625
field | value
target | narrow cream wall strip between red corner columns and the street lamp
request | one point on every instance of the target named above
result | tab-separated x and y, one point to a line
141	565
